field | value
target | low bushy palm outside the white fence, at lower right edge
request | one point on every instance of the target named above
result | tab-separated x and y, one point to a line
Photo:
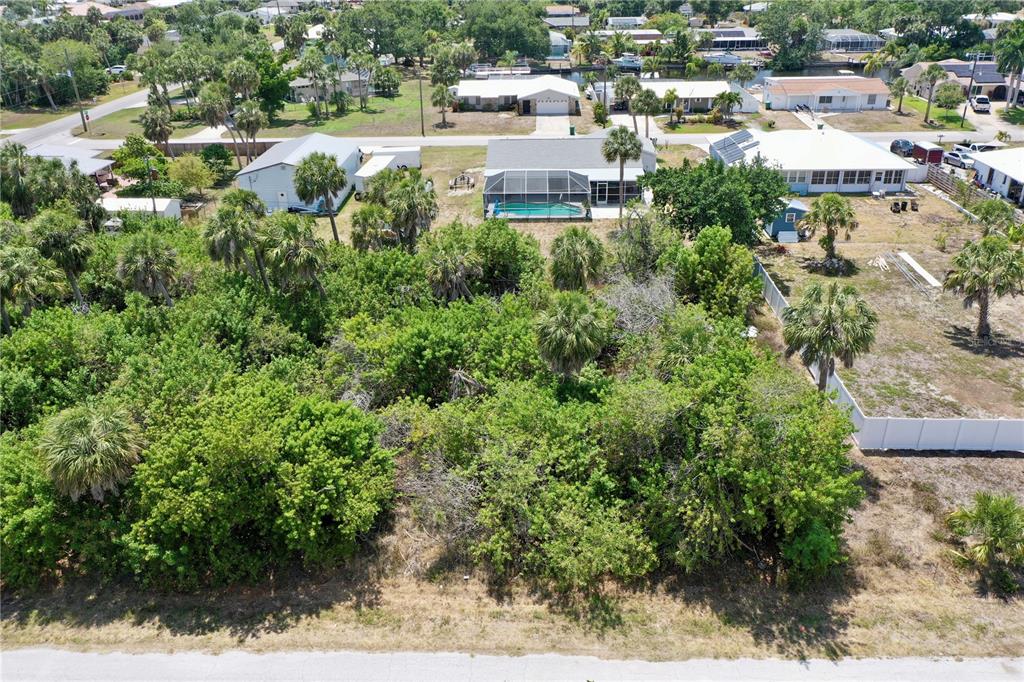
998	525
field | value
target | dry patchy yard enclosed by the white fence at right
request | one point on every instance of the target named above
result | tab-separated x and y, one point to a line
925	362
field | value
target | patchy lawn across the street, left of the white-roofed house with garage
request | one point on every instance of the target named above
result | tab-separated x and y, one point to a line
401	116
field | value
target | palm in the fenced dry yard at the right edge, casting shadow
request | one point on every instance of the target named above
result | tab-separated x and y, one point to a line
984	270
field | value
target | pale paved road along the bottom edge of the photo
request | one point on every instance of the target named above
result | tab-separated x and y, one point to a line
57	666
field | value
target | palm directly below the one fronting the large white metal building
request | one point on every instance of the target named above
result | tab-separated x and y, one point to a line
296	255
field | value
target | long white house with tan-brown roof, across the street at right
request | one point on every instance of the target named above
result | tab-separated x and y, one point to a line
828	94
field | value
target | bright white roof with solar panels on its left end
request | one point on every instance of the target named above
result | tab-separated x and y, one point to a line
820	150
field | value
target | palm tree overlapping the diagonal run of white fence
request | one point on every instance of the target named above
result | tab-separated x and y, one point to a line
829	323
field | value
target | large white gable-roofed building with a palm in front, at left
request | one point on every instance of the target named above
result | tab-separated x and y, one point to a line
271	176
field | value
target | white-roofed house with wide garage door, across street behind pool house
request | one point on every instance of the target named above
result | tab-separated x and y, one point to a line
542	96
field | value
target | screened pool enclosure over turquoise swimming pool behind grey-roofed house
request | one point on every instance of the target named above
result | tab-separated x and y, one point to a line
525	195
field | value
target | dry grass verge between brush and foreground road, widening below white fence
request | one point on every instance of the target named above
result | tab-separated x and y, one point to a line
901	595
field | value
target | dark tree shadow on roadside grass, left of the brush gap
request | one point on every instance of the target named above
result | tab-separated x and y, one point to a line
246	613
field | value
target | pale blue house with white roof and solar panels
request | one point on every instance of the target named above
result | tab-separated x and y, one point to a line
819	161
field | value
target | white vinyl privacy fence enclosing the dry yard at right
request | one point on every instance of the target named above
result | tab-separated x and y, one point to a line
910	433
